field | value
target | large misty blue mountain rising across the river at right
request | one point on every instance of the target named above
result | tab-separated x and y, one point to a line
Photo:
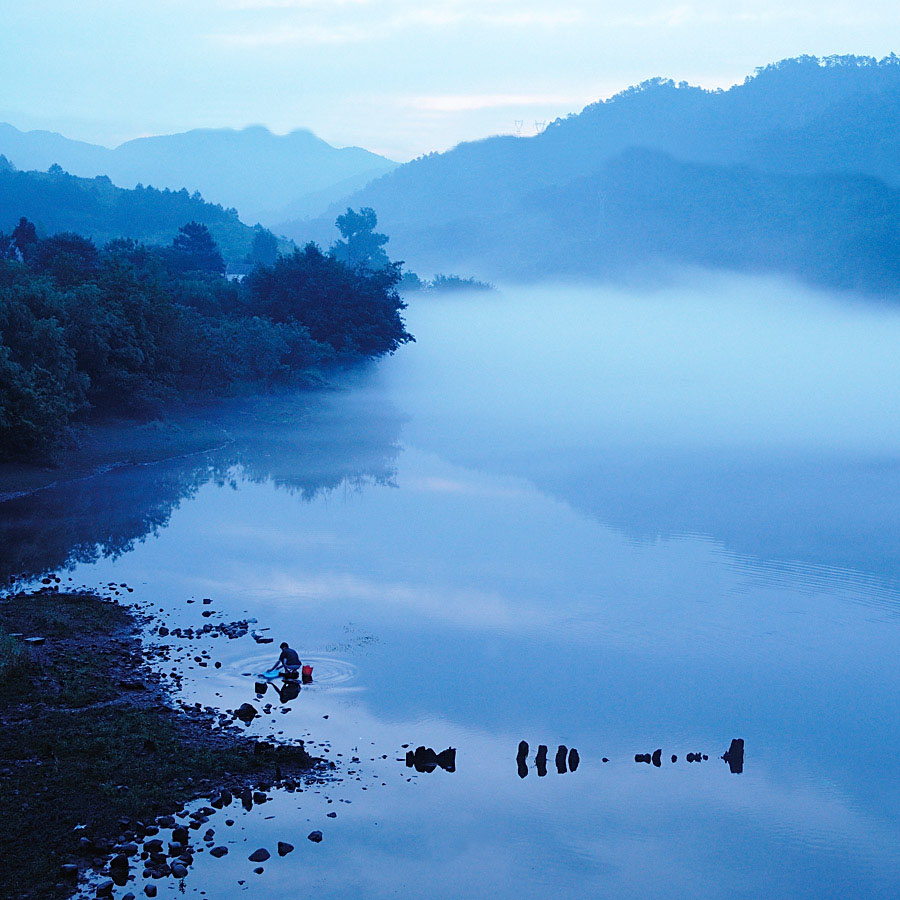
796	168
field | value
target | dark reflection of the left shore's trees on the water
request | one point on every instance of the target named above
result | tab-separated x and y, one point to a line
305	445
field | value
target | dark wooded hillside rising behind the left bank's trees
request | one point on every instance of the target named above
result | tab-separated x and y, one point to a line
56	201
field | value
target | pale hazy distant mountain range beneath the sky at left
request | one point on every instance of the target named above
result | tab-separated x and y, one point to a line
267	177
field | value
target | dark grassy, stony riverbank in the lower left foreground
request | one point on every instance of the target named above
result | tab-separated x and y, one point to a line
93	759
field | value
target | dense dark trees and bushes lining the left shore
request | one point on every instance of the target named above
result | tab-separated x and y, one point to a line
125	328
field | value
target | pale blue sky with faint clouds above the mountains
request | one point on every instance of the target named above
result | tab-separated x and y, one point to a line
399	77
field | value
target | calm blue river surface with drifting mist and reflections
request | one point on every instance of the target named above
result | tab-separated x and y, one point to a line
616	520
